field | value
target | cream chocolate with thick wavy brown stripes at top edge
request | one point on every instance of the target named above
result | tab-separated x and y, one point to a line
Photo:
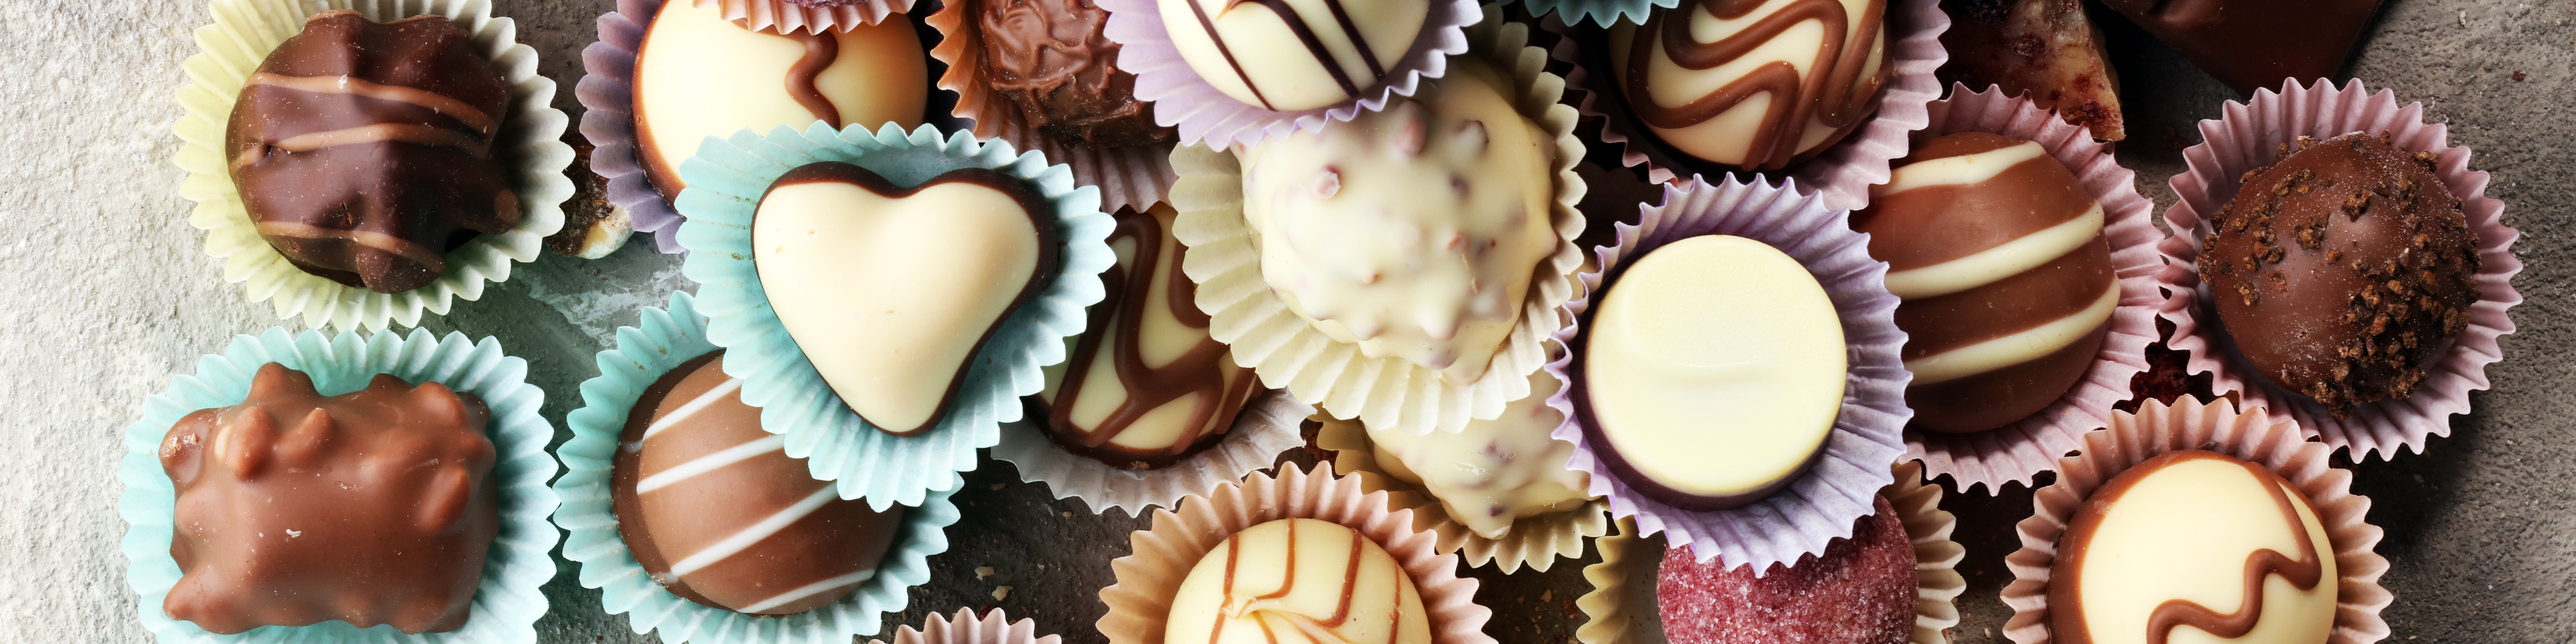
1753	84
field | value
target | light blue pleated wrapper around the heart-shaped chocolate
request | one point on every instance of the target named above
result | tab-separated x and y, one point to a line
725	187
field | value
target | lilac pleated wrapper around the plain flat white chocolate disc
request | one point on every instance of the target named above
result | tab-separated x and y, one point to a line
1869	437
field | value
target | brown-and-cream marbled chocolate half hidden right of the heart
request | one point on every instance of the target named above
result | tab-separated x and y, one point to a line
1145	383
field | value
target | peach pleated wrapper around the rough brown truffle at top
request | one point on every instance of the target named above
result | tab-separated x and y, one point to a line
1127	176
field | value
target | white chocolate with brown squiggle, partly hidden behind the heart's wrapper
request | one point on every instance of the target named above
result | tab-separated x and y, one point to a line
705	76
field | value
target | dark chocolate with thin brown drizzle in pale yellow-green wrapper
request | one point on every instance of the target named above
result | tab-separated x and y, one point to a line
365	151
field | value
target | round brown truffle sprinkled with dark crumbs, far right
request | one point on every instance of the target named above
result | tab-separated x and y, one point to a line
2343	269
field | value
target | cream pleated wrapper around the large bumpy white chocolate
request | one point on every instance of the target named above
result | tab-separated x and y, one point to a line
1385	393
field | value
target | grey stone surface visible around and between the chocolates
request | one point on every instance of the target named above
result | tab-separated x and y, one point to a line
109	295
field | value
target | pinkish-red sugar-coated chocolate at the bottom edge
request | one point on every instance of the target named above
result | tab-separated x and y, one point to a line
1859	591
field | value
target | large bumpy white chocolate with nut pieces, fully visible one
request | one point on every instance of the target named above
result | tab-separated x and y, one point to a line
1356	243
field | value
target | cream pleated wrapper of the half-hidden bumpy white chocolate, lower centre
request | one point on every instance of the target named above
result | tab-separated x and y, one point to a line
1534	542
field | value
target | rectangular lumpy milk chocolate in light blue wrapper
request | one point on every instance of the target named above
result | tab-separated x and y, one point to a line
298	509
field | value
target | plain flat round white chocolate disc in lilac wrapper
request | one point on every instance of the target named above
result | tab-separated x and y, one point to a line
1673	346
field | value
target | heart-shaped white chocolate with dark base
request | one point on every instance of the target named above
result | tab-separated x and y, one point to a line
893	290
